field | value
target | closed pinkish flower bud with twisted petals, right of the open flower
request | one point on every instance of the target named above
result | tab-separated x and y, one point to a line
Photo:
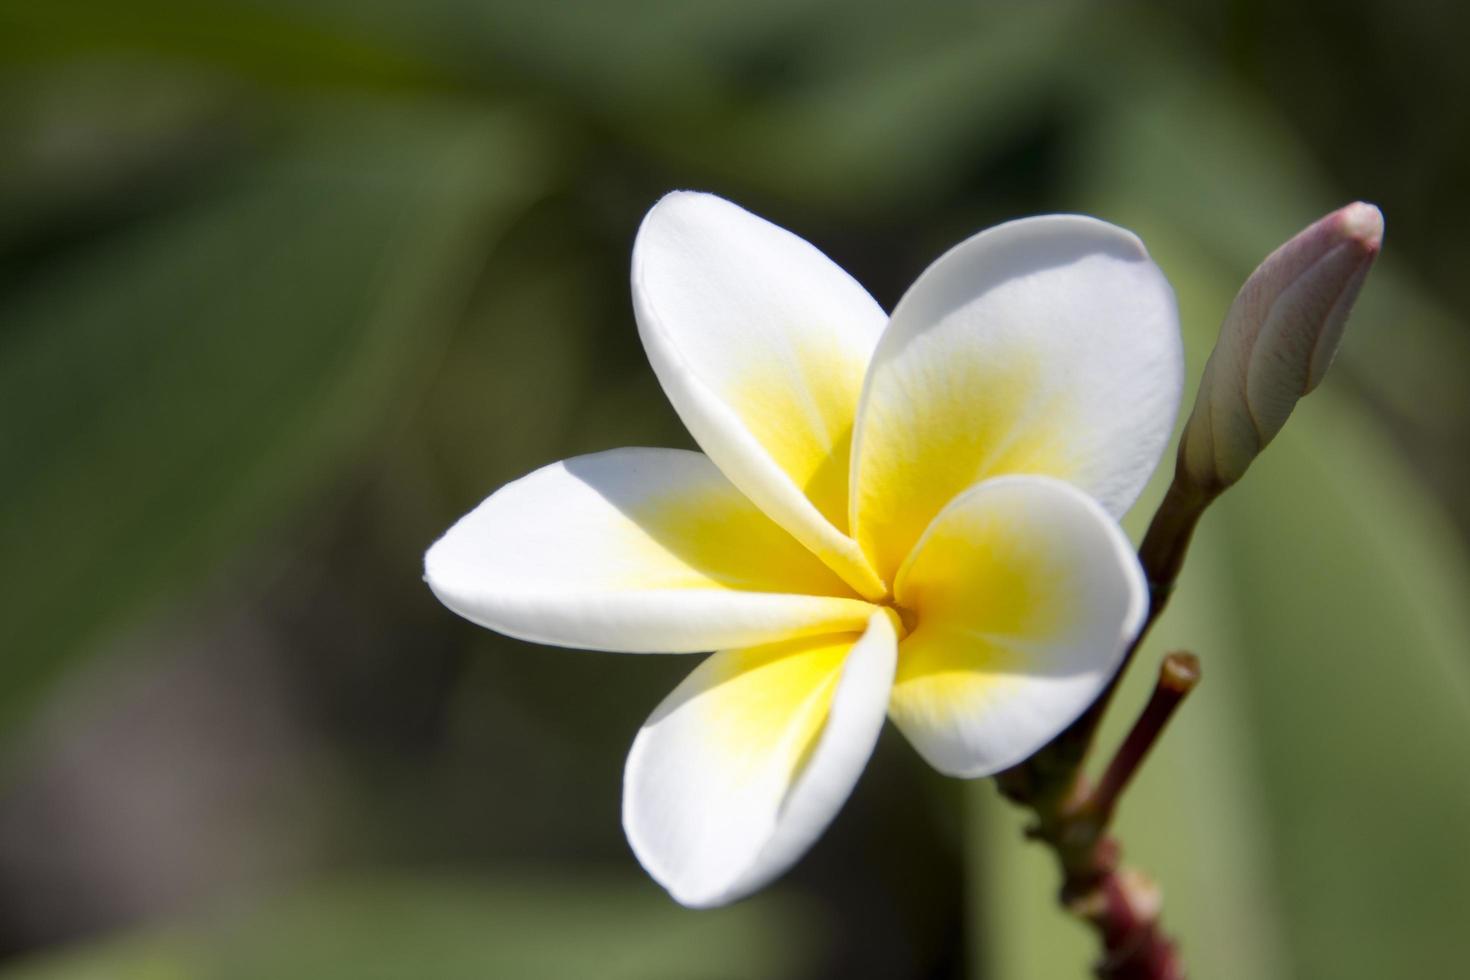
1277	343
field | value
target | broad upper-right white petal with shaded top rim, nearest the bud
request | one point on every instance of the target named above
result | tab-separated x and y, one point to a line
1044	346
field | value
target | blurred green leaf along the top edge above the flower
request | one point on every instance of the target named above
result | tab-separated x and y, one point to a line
849	107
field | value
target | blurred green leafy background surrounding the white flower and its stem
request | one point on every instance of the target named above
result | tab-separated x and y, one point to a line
286	287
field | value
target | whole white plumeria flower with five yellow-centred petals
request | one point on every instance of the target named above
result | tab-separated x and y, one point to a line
906	516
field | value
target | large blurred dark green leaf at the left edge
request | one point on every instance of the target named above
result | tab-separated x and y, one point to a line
177	387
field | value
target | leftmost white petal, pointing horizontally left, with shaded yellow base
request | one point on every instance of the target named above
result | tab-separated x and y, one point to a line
640	552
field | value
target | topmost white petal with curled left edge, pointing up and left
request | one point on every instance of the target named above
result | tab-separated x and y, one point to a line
761	343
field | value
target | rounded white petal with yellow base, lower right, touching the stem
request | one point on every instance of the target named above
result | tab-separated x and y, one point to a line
1025	594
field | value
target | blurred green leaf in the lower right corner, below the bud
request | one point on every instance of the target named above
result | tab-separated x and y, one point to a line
1359	675
